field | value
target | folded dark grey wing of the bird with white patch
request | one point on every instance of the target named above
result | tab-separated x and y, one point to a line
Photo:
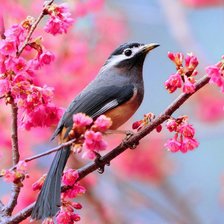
94	103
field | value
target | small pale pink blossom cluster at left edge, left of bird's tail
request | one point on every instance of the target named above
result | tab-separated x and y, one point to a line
16	175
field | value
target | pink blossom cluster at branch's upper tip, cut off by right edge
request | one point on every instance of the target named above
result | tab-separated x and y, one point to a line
216	74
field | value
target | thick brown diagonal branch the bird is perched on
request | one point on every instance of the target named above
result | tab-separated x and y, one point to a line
92	166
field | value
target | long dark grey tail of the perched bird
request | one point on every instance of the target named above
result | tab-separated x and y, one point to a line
48	201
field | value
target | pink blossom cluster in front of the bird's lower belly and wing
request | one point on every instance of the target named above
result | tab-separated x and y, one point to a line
89	134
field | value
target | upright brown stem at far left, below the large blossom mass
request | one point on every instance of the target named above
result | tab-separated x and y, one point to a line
15	159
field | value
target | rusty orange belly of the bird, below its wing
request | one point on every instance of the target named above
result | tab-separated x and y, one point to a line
122	113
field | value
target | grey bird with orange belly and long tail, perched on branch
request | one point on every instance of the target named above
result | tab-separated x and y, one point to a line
117	92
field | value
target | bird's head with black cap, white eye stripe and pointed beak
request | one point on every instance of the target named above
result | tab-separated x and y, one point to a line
129	55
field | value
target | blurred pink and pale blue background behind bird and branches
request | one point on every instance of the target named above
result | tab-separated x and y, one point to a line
148	185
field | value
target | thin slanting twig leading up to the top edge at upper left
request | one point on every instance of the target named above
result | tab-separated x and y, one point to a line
33	27
